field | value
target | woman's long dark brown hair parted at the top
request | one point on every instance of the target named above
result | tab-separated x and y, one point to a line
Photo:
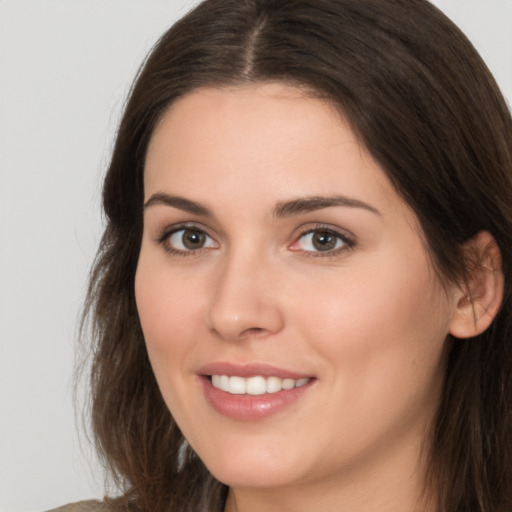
425	105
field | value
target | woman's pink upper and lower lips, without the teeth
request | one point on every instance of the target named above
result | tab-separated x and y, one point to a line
249	407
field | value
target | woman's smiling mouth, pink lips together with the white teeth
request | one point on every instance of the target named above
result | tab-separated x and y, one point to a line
251	392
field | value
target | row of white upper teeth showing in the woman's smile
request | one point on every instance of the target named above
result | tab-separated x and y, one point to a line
255	385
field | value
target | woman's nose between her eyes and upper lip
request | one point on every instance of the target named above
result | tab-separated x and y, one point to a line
245	301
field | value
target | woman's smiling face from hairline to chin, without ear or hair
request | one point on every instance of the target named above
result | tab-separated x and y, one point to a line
293	321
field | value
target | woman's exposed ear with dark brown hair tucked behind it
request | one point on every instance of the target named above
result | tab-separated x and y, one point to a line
479	298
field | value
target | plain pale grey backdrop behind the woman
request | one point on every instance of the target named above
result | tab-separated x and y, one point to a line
65	69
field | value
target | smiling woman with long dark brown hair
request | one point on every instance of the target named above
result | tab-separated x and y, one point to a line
302	297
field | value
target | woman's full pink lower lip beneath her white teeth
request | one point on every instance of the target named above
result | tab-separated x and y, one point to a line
251	407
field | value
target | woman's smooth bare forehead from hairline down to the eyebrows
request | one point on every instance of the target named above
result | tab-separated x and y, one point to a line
255	133
